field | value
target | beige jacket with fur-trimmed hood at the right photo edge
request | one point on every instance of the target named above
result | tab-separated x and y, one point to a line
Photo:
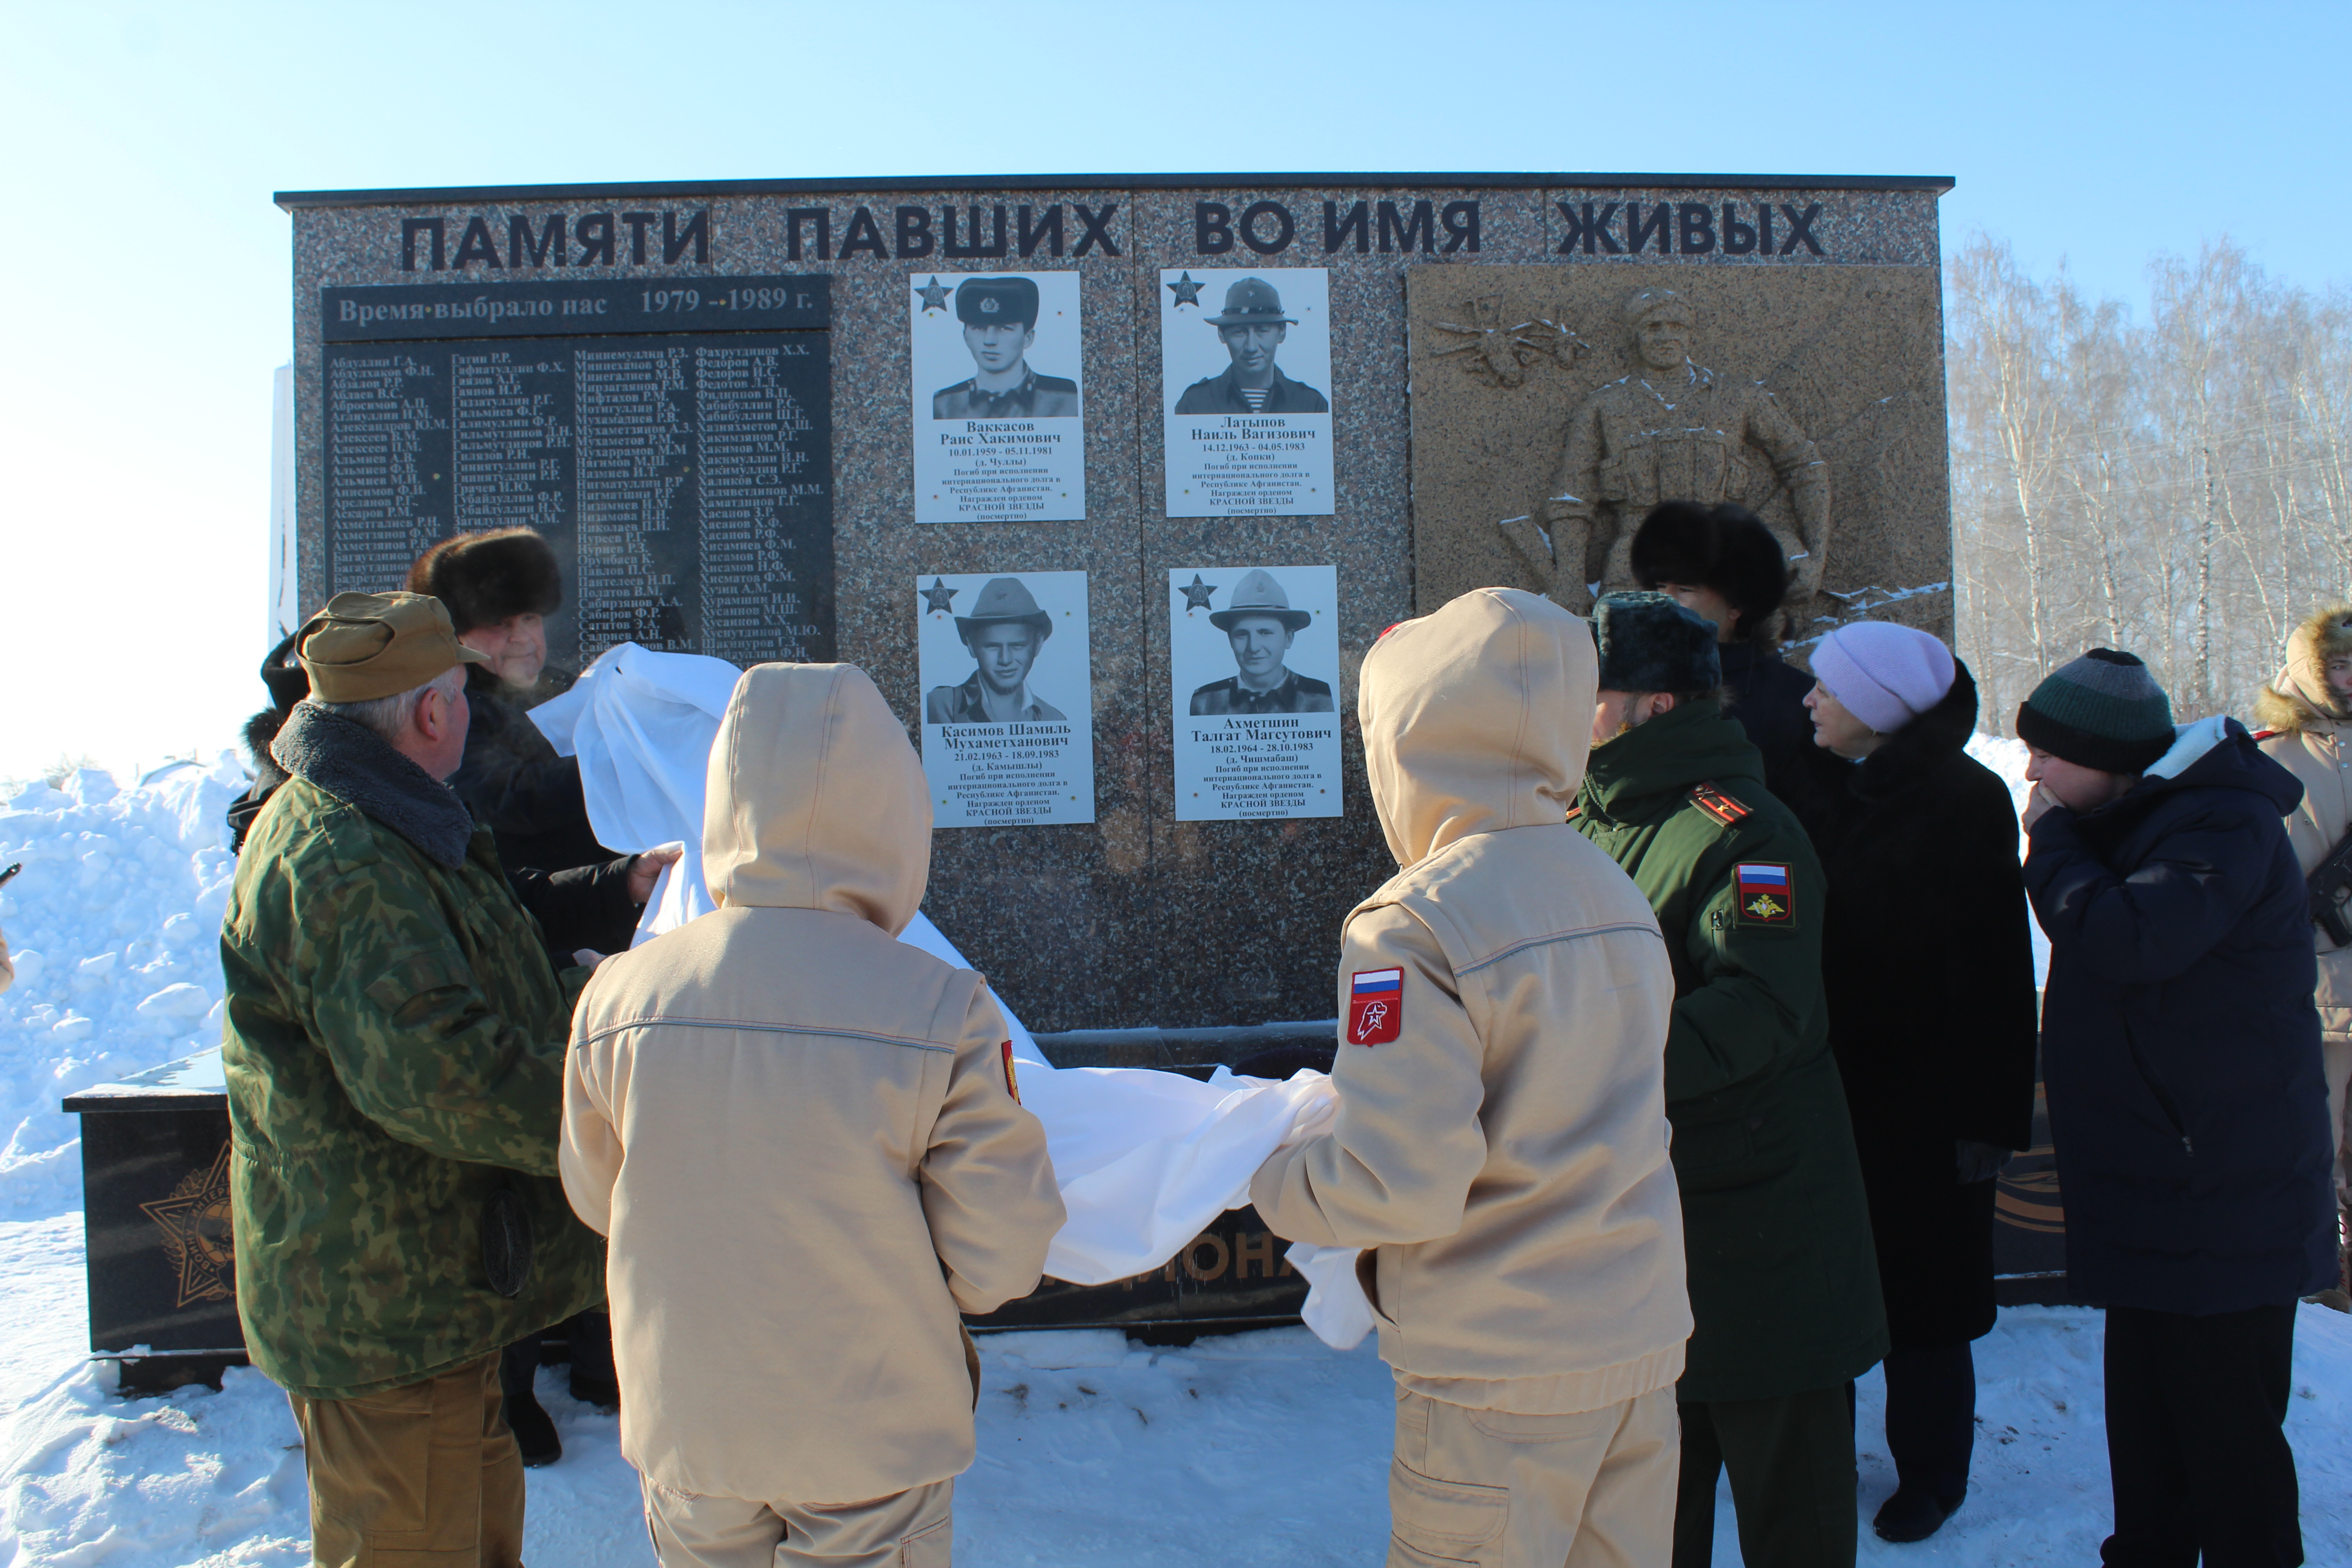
2311	737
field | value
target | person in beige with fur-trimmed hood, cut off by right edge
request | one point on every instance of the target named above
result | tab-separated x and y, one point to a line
2306	716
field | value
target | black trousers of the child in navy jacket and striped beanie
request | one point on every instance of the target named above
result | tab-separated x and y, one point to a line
2196	1440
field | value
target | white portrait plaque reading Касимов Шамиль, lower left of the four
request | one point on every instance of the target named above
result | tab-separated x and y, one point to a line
1008	697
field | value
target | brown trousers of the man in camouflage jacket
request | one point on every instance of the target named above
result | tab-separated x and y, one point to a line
417	1475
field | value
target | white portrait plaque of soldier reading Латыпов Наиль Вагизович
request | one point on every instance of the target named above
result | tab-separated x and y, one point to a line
1243	366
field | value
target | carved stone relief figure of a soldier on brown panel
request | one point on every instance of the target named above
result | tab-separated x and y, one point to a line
1673	431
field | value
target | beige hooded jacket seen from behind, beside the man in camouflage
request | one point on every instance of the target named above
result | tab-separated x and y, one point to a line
801	1134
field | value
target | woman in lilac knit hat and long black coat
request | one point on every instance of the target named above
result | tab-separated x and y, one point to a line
1930	979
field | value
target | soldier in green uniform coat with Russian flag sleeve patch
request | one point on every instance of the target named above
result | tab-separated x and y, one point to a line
1777	1231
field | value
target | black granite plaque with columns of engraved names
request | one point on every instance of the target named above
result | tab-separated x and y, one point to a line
683	476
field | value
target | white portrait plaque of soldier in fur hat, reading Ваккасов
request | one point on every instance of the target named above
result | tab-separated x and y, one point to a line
998	398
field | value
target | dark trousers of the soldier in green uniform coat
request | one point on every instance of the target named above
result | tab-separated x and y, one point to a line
1791	1480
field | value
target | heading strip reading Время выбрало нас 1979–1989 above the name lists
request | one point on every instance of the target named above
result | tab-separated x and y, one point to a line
563	309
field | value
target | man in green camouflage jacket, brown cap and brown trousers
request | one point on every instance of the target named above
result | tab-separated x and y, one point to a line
394	1052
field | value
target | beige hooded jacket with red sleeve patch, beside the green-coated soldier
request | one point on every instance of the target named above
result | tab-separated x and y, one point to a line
1506	1151
